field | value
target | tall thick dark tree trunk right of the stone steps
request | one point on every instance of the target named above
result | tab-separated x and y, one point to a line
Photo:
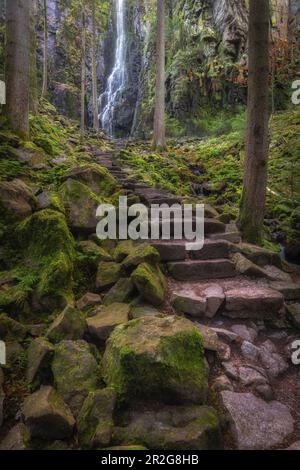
256	160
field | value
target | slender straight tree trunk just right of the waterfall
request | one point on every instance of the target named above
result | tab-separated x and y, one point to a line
159	138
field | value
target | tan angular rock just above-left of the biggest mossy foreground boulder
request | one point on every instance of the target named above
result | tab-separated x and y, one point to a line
105	321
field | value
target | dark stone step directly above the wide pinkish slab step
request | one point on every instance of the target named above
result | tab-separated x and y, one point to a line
194	270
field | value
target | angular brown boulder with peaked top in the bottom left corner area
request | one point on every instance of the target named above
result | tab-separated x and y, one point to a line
47	416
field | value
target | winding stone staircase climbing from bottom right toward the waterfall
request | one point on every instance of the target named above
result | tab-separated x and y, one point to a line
234	313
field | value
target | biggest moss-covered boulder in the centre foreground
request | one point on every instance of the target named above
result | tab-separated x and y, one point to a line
160	357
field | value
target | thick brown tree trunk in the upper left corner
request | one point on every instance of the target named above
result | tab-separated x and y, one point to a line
17	74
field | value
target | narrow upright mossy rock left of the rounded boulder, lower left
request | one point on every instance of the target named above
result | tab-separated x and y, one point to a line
39	356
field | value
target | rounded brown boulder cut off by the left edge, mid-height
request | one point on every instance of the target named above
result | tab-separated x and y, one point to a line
17	200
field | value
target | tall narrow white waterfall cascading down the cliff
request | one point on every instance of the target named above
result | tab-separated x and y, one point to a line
116	80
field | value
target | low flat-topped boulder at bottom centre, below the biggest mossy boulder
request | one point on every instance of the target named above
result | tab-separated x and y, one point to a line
173	428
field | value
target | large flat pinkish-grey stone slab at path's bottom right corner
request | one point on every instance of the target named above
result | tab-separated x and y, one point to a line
256	424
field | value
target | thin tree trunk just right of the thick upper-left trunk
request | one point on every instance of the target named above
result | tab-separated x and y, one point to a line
33	87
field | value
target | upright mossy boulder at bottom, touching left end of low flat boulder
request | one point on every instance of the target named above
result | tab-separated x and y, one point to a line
95	420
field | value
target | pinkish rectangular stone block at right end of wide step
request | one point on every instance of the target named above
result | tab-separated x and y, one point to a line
253	302
